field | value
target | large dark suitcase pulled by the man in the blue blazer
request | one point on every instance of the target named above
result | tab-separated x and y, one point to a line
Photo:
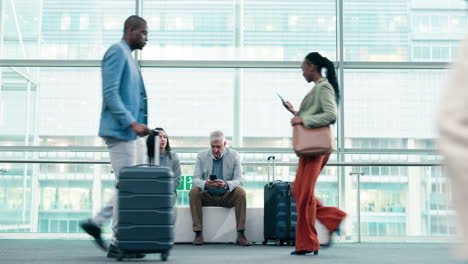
146	208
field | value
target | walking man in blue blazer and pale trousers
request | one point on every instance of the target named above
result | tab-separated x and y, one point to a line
123	117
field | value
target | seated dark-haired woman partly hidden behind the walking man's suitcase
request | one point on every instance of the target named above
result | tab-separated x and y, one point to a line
167	157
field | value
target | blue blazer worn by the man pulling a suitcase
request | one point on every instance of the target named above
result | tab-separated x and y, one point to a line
123	94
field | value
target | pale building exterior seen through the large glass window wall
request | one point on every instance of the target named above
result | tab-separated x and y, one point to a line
387	113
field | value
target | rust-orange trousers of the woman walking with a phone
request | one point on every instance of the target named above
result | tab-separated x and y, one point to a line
308	207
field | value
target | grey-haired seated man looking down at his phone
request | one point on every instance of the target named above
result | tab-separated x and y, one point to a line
223	191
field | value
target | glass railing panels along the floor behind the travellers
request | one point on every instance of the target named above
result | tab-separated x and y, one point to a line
388	197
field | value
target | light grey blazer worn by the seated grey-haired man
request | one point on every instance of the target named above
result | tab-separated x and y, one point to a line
232	169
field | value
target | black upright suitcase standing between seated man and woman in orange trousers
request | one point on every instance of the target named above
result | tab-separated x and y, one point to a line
279	219
